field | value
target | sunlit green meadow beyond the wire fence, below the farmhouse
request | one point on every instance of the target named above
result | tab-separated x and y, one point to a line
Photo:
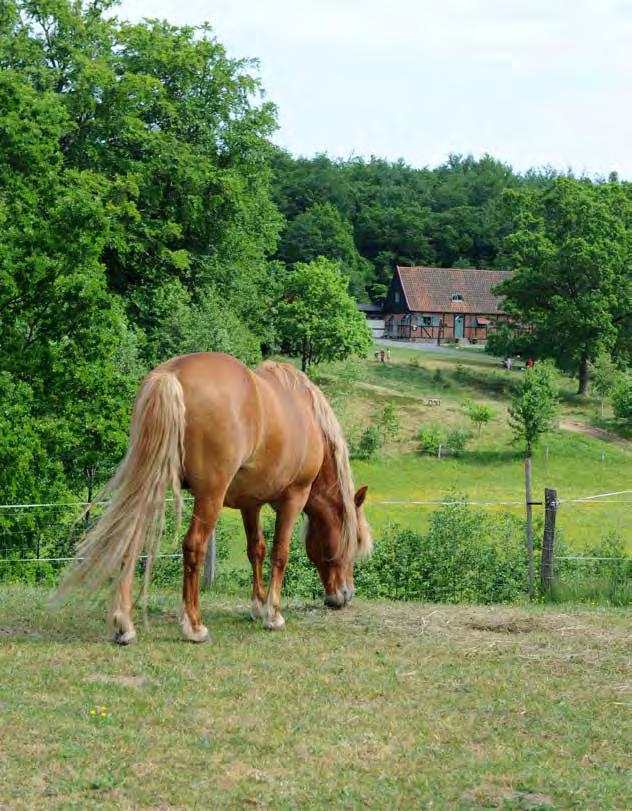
492	468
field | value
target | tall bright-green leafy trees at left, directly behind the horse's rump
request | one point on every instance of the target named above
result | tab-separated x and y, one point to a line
135	222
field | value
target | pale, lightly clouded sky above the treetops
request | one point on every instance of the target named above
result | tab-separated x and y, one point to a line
532	82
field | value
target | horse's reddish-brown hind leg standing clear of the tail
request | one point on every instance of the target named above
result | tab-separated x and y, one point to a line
205	515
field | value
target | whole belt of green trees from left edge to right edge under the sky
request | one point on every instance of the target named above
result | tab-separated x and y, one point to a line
145	212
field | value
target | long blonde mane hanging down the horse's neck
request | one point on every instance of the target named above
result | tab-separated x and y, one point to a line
292	378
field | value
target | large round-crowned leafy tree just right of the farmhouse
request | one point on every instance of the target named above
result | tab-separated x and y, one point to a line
571	246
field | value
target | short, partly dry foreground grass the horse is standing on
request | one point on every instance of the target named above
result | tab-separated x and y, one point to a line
380	706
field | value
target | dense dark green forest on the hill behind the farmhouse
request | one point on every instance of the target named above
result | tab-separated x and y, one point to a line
448	216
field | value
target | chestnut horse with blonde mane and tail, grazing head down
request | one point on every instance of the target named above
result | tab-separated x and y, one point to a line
236	438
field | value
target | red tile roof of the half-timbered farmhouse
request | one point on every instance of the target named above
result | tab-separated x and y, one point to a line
431	289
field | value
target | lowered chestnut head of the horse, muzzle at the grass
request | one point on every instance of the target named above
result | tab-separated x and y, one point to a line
334	542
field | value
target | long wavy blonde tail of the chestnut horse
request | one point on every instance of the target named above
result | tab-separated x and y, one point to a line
135	515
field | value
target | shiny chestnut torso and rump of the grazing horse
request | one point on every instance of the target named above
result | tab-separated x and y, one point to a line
250	433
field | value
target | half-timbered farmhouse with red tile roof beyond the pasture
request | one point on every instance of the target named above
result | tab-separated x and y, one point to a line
435	304
